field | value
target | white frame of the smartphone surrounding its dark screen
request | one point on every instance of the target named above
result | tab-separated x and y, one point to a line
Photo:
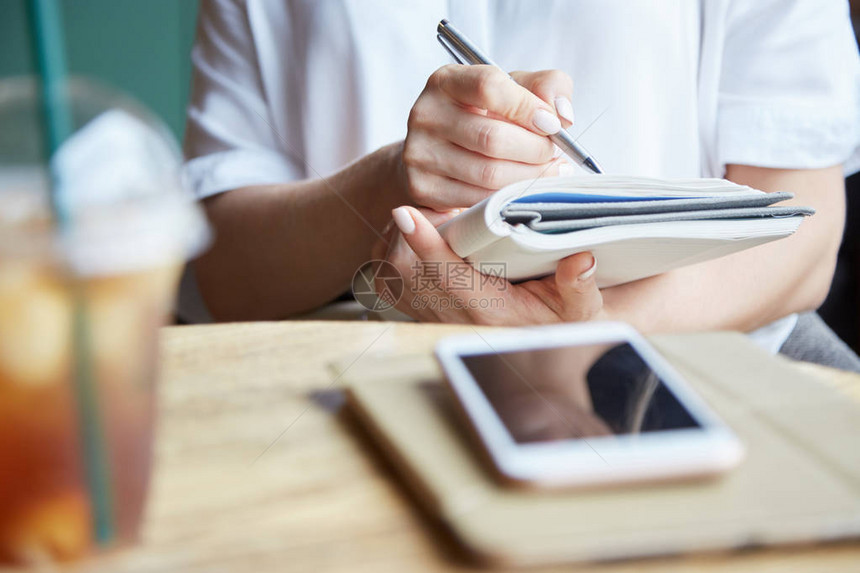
708	450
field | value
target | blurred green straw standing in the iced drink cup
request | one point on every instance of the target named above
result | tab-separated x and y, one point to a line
46	26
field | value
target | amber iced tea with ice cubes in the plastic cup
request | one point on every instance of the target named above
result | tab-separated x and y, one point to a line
45	506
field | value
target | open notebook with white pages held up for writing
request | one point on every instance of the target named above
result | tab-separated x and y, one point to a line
635	226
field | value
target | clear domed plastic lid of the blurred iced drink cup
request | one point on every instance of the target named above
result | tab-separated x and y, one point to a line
117	176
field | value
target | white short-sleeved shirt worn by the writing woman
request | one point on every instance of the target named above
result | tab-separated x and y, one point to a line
288	90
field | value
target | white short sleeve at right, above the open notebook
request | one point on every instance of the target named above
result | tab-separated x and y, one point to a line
790	86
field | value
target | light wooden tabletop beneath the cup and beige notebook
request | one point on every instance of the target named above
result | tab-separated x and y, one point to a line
258	468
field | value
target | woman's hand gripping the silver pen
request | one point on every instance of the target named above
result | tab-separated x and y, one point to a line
473	130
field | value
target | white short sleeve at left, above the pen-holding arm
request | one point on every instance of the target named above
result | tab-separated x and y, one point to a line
229	140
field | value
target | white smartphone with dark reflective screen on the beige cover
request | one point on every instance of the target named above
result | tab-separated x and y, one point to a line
583	405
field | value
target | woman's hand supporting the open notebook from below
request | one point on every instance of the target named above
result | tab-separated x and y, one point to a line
440	287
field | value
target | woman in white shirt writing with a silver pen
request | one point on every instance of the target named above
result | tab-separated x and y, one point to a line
308	125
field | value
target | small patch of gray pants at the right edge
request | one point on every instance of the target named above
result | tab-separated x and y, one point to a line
813	341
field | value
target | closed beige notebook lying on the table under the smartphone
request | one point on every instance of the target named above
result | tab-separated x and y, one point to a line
800	481
